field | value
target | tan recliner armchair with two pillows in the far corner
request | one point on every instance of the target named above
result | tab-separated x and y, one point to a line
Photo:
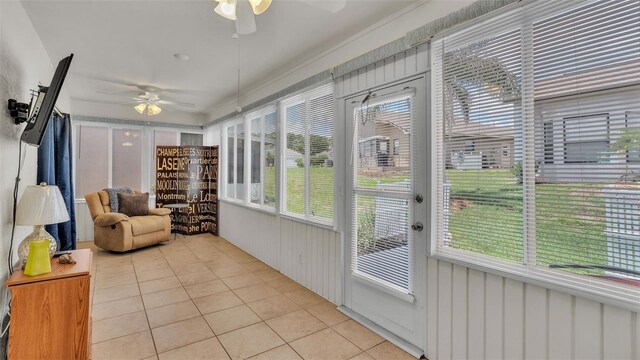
119	232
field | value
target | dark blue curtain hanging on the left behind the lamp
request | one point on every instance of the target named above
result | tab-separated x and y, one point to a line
55	167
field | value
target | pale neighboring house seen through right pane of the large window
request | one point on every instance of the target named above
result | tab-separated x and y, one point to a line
572	143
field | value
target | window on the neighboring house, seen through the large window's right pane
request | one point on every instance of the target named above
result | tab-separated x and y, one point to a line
586	138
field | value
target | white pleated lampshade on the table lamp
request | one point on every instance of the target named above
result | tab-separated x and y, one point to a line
41	205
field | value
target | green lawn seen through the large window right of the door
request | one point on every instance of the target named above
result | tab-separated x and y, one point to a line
488	218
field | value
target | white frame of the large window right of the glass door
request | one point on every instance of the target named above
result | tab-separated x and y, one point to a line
600	290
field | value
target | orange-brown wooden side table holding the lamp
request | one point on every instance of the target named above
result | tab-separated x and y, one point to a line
50	313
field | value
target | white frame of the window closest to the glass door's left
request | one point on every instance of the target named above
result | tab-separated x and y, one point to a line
316	92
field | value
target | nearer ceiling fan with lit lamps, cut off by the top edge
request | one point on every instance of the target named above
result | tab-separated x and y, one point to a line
243	11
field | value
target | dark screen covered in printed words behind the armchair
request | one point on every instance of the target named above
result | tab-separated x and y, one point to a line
189	175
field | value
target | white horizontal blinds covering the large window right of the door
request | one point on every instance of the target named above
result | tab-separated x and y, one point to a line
536	143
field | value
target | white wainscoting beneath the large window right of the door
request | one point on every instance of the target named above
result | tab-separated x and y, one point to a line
477	315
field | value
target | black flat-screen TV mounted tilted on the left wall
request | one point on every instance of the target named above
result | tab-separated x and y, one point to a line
40	115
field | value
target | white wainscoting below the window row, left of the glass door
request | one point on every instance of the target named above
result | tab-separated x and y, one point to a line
310	255
